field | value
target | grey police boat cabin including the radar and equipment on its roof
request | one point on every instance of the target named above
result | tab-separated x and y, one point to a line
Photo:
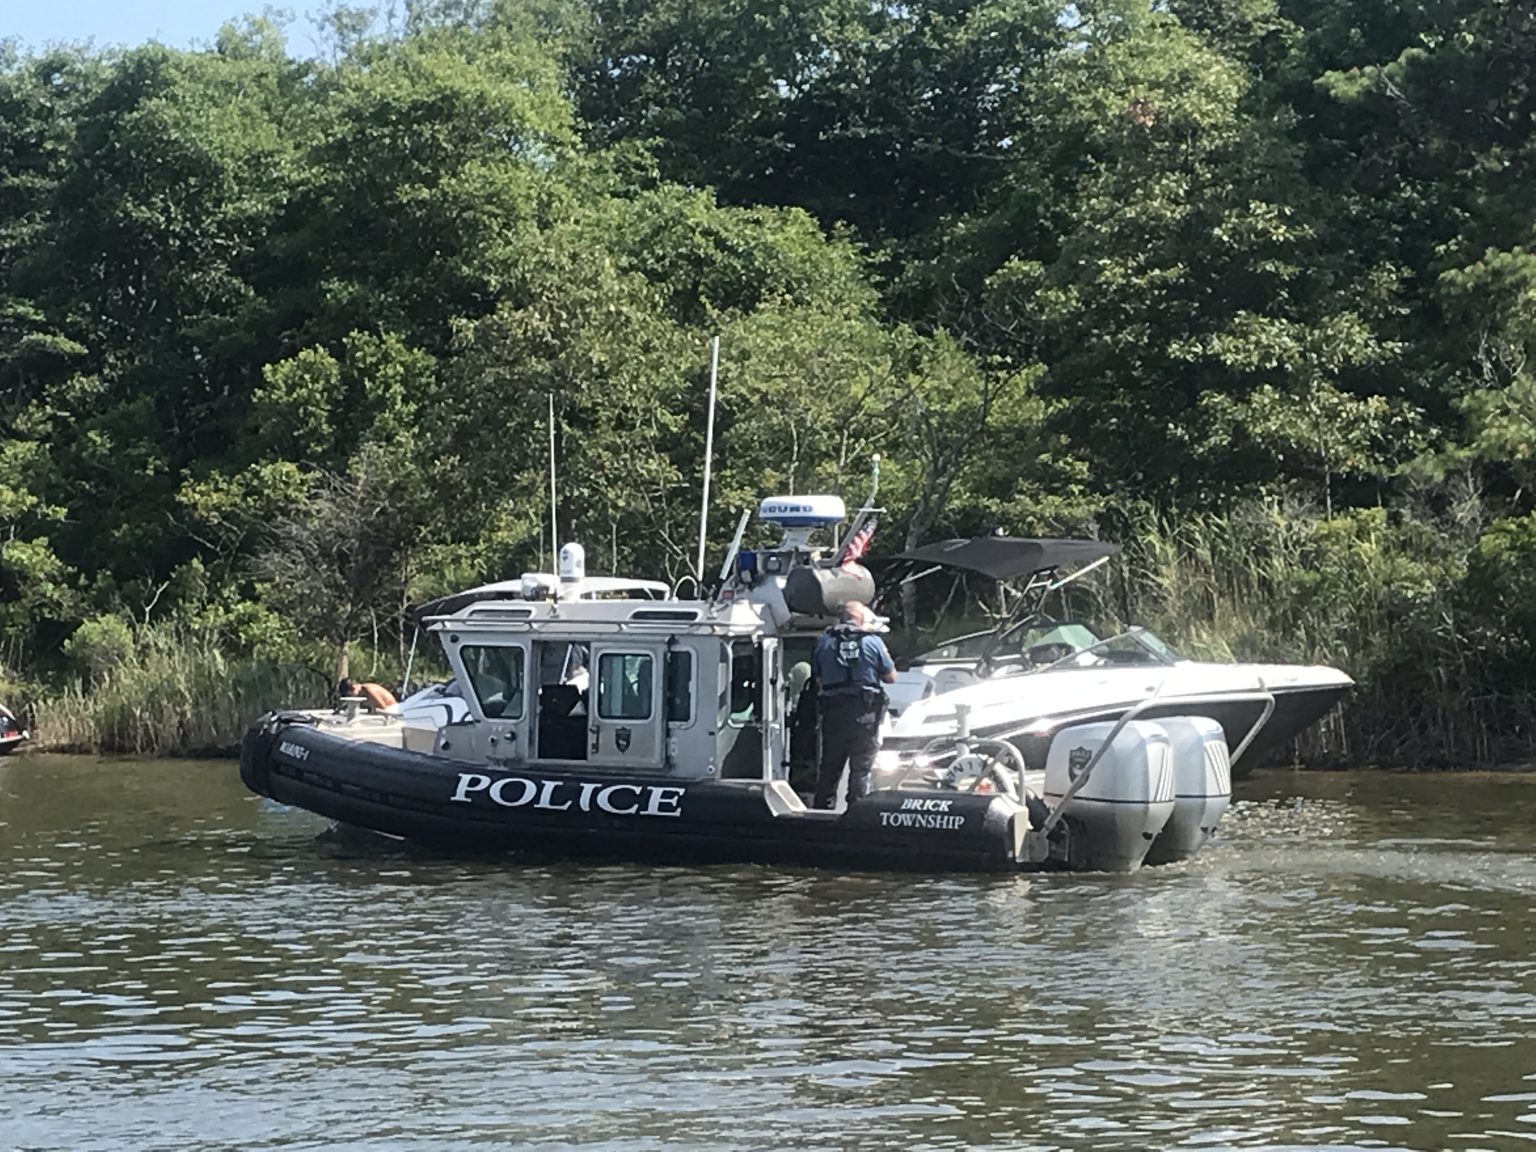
698	689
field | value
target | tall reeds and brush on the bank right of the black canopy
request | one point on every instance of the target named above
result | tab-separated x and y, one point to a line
1442	675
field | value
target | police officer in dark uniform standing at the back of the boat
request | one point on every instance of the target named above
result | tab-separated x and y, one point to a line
850	666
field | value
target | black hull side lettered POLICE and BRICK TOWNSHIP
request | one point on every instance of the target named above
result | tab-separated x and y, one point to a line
480	809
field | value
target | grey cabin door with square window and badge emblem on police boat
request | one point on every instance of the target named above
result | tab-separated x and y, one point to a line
629	723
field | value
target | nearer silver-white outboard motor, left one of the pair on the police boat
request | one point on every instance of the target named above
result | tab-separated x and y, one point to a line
1128	798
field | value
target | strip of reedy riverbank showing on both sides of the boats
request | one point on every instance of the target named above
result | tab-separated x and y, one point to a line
1431	626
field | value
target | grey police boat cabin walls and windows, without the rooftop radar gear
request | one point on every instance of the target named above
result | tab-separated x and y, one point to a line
649	687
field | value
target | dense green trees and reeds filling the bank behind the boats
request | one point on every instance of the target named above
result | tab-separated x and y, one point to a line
1248	285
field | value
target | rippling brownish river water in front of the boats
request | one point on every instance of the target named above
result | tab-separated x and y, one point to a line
184	967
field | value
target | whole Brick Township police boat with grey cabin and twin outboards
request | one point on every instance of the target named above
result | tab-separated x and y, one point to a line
687	735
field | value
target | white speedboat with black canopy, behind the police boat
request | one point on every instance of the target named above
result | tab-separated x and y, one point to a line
1031	670
